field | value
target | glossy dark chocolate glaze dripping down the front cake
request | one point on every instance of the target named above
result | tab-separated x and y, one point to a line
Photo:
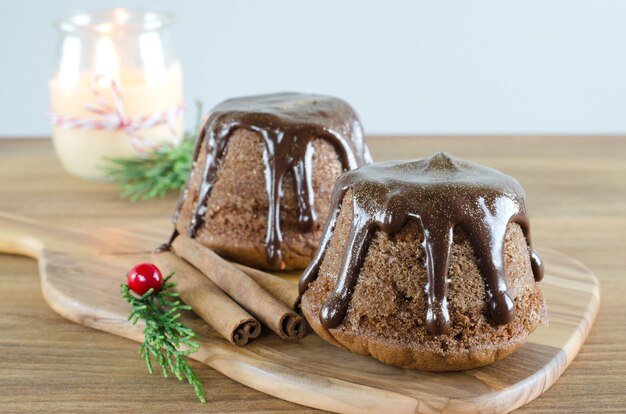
440	192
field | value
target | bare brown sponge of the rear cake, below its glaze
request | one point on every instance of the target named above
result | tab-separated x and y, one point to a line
235	223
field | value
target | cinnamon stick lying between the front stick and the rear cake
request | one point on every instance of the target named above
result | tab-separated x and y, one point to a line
242	288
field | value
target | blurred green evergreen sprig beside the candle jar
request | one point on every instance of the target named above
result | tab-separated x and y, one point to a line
161	171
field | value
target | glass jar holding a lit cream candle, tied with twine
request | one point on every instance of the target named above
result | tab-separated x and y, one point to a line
116	90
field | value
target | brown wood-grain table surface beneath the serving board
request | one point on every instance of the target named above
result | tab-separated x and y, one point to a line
576	190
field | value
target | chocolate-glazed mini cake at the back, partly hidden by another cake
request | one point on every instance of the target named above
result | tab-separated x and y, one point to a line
263	172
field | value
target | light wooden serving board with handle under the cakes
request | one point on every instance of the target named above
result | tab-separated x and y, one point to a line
81	274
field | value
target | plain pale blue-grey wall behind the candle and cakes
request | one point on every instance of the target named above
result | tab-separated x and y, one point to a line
481	66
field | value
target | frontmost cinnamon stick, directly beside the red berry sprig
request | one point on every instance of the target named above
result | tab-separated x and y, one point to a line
208	301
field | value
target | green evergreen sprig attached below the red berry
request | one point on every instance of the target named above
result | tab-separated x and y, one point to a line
166	340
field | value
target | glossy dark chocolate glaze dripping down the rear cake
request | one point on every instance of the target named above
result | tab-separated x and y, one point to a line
288	123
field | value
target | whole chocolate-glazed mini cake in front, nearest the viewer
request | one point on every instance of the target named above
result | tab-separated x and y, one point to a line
425	264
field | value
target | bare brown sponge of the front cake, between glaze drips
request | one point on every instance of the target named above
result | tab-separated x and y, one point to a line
386	317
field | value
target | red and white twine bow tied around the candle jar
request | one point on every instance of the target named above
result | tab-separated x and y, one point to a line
112	117
